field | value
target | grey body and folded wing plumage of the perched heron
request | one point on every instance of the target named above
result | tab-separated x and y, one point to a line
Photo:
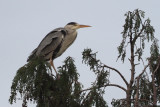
51	44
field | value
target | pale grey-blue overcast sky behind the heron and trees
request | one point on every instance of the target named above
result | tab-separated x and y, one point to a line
24	23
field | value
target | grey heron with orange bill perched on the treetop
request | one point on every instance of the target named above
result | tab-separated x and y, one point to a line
56	42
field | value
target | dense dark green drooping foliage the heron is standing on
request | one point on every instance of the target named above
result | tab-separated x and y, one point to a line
35	83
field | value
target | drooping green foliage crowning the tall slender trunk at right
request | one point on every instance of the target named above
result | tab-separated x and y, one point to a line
135	28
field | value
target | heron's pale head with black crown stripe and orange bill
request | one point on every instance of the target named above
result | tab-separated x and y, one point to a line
75	26
